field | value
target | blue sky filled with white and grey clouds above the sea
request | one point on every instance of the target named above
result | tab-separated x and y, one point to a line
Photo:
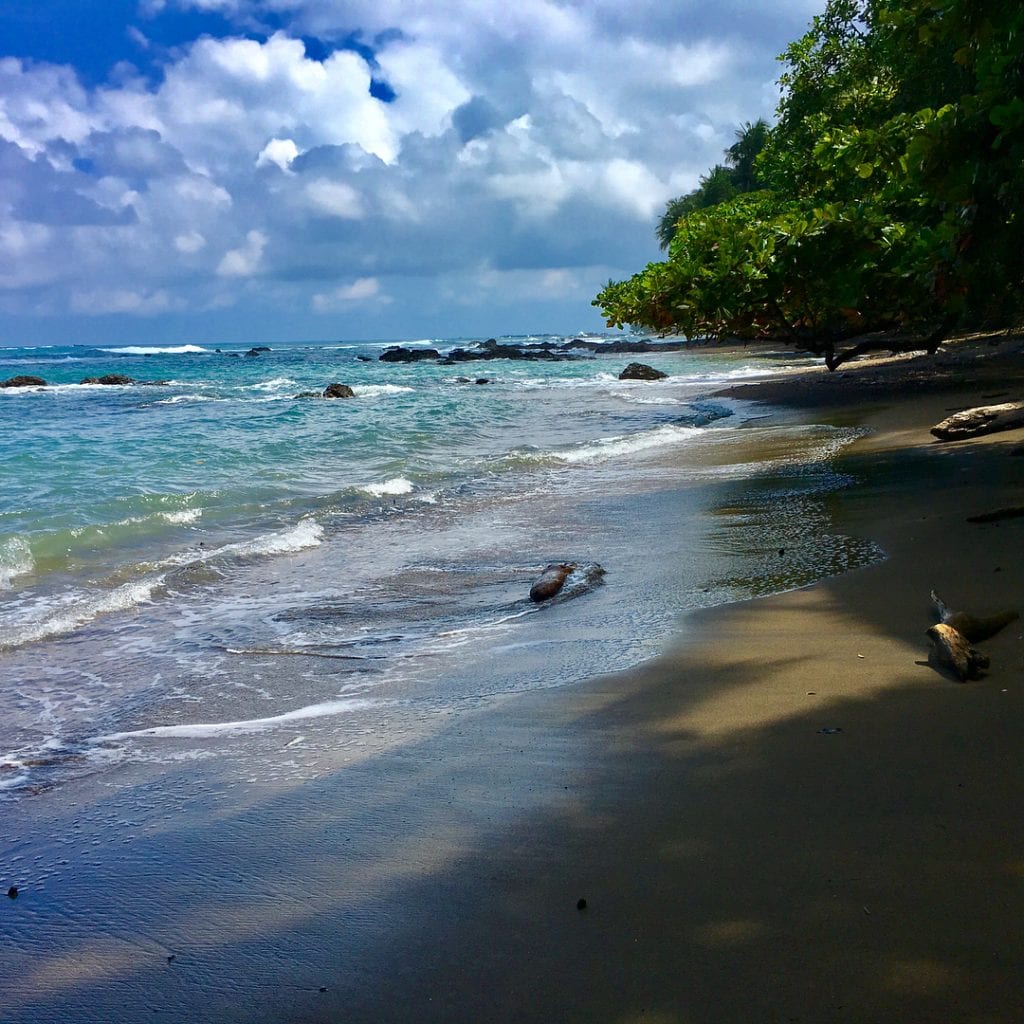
190	172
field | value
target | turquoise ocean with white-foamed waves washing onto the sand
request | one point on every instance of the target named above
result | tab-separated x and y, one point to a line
205	567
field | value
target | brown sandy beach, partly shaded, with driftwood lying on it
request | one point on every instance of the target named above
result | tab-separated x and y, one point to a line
789	815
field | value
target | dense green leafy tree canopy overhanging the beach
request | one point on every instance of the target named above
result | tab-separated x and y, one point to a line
888	197
